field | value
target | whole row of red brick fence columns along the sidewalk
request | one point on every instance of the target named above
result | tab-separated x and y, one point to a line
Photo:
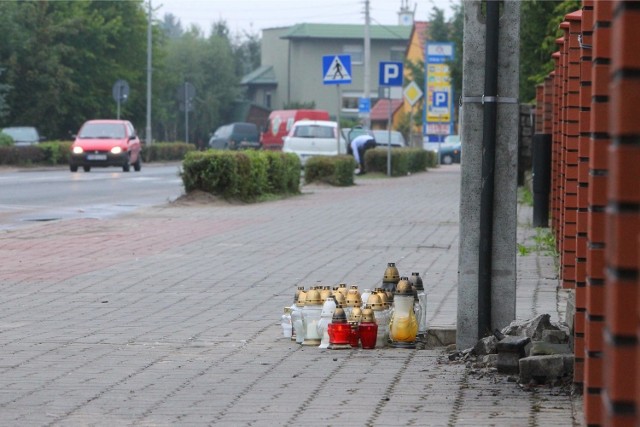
593	100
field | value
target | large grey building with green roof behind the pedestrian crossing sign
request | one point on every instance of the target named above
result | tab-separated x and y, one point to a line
291	70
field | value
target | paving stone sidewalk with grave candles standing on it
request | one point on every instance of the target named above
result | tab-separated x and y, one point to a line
170	315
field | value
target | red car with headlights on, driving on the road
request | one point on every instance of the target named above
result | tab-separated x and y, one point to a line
103	143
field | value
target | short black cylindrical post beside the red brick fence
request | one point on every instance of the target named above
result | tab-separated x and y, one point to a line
541	156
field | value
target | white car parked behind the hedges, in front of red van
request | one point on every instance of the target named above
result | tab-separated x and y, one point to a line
309	138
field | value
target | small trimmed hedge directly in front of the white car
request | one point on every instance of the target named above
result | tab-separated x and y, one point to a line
334	170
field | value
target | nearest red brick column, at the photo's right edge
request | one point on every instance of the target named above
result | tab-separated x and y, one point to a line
623	218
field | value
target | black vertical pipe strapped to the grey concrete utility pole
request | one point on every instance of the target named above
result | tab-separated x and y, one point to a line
488	168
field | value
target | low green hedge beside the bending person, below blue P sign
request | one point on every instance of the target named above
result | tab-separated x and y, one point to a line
403	160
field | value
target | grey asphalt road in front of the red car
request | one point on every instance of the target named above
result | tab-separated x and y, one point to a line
50	194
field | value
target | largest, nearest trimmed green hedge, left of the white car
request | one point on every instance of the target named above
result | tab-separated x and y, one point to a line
242	175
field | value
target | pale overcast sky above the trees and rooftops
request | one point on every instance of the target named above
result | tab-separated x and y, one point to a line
254	15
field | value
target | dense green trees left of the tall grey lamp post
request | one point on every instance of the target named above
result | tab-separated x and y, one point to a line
62	59
